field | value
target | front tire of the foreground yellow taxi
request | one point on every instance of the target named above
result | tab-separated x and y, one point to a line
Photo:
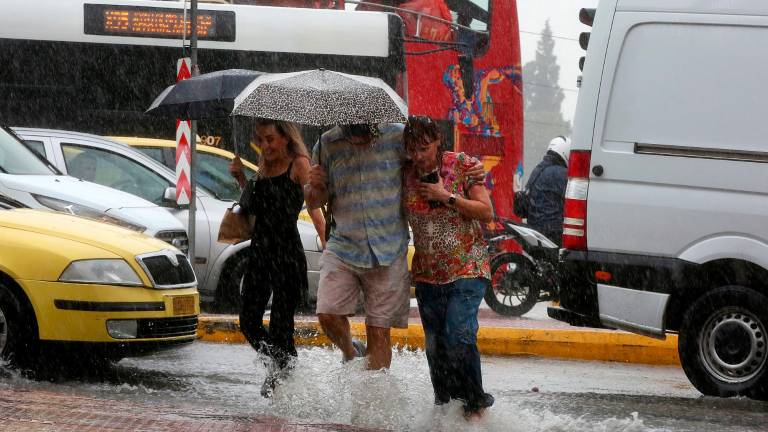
18	337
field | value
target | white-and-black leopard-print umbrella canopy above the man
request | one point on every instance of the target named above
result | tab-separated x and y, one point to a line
321	98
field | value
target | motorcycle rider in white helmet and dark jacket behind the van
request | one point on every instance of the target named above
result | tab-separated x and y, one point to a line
546	190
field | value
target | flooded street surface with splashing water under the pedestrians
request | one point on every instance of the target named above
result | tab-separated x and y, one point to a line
207	386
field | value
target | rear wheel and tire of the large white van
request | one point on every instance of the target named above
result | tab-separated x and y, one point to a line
723	343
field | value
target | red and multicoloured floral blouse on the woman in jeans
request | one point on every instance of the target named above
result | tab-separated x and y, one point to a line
449	246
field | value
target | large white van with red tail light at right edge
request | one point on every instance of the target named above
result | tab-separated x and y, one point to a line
666	214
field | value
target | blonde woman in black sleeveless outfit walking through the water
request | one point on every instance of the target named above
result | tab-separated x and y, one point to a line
277	266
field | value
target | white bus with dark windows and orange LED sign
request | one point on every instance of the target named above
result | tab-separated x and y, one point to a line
96	65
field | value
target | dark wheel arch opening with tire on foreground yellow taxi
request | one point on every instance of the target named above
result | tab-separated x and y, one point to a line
21	323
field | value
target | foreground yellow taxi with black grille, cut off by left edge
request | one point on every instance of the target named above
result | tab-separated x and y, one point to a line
68	284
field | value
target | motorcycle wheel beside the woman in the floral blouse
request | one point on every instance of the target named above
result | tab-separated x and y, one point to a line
513	290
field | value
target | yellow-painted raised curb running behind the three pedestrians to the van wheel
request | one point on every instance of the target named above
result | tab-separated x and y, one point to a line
532	334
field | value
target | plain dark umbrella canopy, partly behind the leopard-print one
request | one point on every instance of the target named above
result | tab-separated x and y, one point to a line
205	96
